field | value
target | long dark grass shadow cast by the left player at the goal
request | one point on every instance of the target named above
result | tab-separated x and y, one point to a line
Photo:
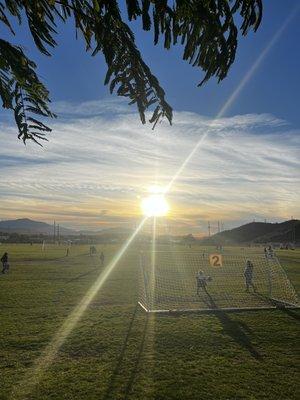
237	330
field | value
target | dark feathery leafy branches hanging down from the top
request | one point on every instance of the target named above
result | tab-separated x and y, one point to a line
206	29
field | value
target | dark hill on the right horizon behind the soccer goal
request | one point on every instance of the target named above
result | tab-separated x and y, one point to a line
258	232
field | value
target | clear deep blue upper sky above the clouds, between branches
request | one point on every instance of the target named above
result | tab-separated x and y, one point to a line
73	75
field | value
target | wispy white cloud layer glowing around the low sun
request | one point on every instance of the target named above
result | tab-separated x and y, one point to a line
100	160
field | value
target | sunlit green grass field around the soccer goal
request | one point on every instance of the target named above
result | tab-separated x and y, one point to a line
117	351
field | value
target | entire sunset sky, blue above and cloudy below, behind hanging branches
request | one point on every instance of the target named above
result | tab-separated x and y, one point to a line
100	161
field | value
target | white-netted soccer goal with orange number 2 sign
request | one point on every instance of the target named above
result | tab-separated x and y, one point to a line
195	281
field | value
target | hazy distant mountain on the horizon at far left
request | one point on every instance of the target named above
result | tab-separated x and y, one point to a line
28	226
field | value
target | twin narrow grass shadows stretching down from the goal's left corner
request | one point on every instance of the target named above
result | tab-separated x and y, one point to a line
109	394
